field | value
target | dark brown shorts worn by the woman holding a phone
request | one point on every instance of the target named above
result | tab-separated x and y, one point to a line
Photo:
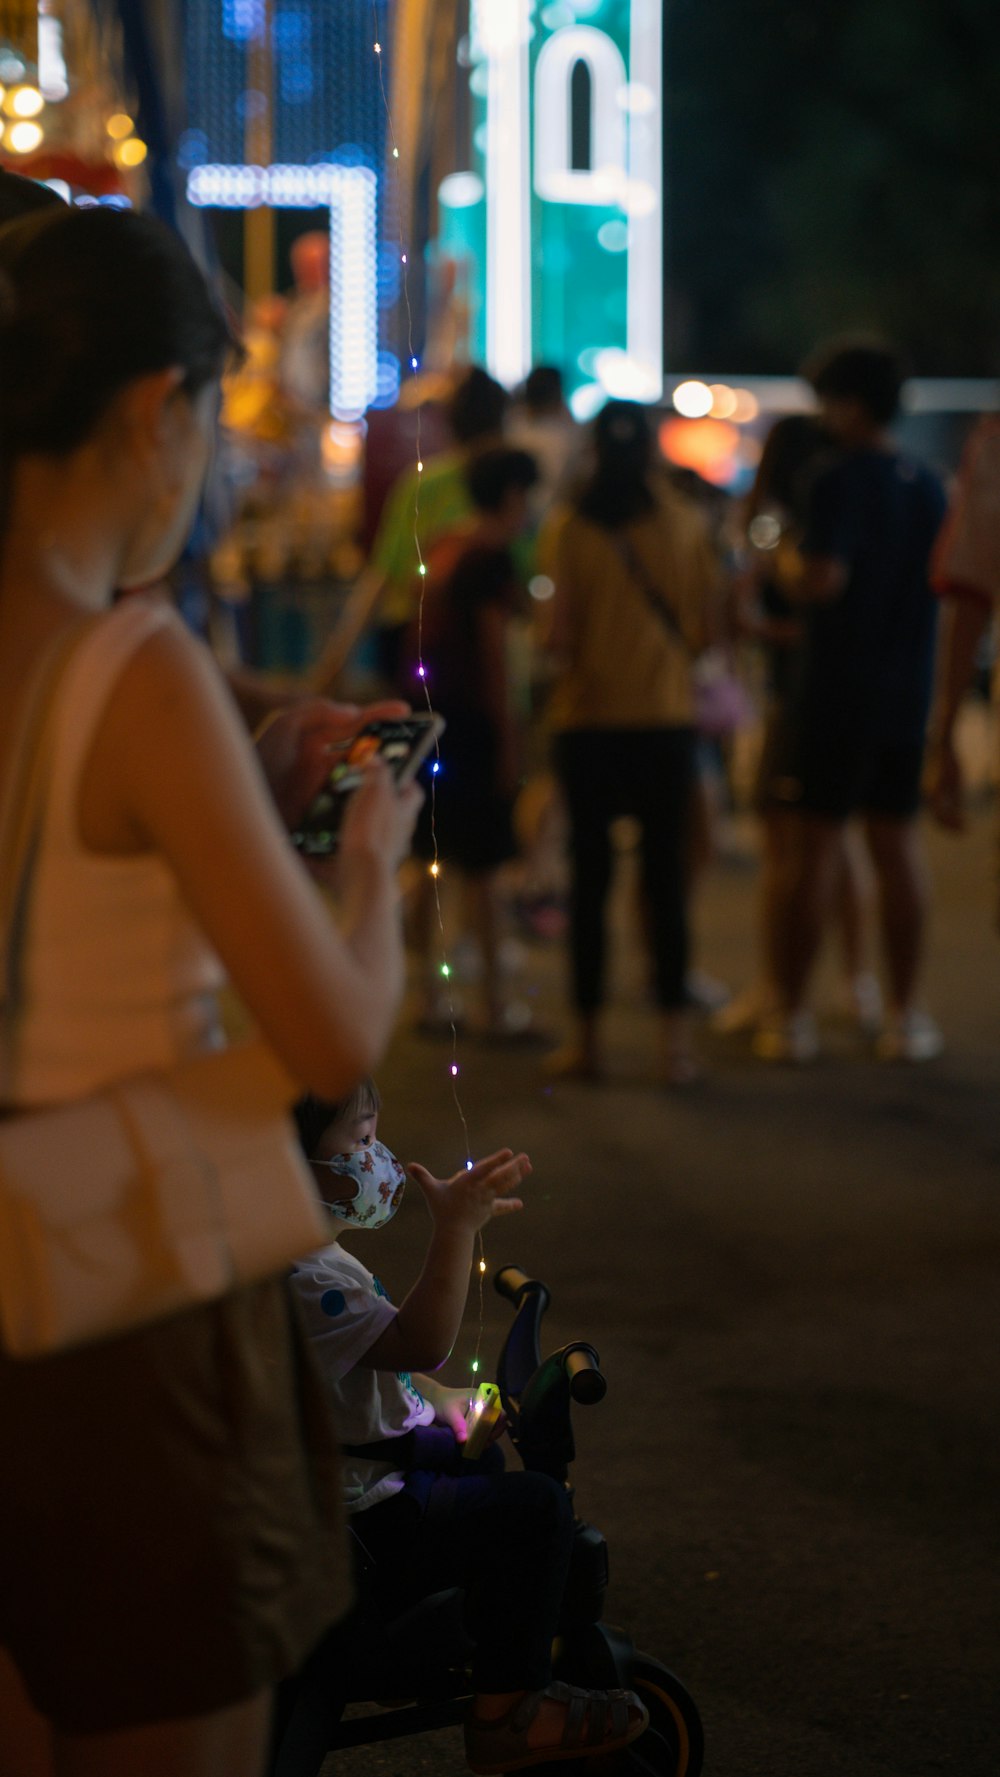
171	1533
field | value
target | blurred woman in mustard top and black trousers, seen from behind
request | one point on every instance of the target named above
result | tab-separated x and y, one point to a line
635	578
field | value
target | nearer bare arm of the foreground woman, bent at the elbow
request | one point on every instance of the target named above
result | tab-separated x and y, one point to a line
171	770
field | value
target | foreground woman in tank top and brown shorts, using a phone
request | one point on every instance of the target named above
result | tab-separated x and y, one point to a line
170	1522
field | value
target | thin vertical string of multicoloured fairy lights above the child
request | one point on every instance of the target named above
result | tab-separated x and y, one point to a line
422	573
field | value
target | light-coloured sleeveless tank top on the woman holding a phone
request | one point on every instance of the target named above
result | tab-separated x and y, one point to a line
116	975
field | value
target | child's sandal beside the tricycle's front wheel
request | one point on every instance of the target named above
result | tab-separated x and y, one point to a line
598	1721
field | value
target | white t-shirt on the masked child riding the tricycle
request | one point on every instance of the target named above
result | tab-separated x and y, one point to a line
345	1312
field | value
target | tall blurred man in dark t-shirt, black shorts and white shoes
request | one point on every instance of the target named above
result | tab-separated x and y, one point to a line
861	578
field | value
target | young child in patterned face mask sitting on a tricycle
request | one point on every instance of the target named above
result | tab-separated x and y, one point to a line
370	1353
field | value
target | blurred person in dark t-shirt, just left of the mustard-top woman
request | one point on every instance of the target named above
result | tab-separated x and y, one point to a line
461	642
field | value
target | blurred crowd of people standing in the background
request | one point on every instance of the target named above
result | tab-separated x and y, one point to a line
608	637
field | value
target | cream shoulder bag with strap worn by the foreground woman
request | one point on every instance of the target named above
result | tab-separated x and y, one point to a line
157	1193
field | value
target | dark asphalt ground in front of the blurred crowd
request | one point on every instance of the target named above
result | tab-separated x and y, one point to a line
793	1279
